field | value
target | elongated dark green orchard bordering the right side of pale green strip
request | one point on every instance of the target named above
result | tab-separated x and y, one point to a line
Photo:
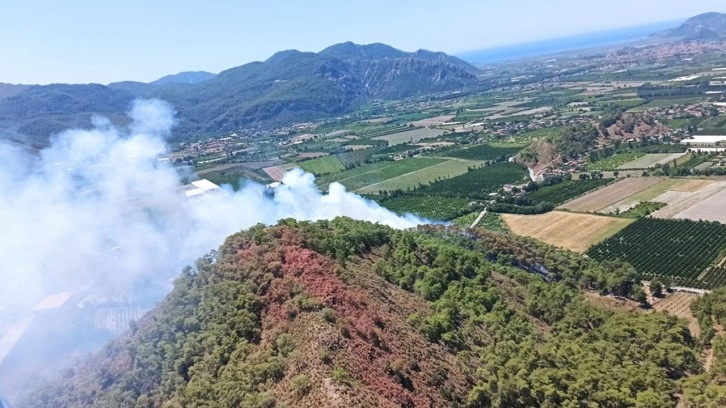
478	183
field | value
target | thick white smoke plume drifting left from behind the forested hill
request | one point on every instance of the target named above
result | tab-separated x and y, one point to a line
98	207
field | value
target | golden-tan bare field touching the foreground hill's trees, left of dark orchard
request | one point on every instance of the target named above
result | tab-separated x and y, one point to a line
576	232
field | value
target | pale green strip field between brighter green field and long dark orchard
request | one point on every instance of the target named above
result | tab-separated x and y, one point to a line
421	177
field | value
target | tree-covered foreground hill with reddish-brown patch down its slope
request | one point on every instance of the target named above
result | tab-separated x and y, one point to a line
347	313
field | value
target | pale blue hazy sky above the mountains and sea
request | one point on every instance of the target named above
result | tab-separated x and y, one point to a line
111	40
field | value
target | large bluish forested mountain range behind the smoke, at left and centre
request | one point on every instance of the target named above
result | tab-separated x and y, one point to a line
291	86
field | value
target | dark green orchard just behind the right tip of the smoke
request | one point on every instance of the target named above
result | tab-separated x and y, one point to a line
432	208
